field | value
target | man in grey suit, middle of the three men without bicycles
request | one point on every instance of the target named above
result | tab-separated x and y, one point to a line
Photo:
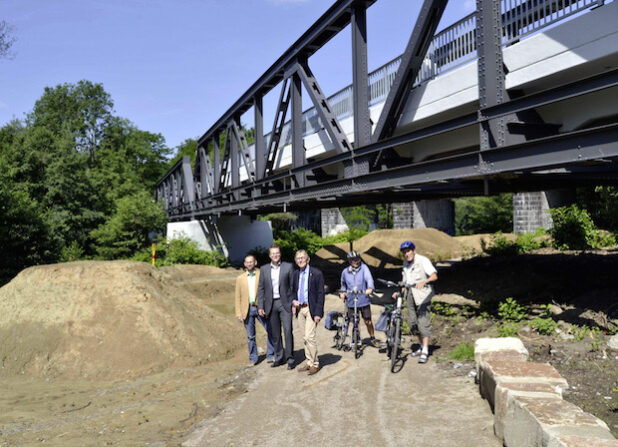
275	298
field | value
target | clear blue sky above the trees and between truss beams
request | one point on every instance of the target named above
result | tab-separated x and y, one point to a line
174	67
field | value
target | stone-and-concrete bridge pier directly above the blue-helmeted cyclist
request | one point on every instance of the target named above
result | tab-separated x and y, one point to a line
438	214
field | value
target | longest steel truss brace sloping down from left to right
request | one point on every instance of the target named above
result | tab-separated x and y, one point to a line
328	118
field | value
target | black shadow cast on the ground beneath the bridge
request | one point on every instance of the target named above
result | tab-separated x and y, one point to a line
579	282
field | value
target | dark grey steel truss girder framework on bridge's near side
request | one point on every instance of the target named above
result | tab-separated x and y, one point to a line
517	150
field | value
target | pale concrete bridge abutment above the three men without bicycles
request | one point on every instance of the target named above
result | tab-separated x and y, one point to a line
233	235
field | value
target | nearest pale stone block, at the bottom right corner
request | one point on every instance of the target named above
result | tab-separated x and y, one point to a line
541	421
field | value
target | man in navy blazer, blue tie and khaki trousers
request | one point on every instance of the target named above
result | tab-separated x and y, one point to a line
308	286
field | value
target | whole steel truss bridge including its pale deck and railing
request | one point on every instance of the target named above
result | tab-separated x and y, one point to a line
514	148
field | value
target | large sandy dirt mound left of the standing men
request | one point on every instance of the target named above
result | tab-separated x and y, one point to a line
108	320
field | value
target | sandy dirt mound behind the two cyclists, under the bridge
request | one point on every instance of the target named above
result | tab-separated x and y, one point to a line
380	248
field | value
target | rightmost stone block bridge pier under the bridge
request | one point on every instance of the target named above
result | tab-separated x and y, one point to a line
531	209
